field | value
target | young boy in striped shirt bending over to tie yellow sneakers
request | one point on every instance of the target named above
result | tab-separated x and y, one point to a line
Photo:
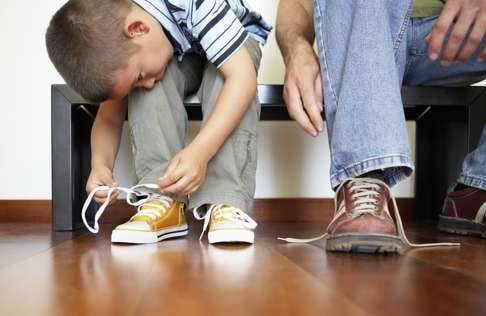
143	58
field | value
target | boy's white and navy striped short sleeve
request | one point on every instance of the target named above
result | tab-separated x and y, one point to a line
217	29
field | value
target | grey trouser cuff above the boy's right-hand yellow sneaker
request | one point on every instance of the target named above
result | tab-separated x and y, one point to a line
231	198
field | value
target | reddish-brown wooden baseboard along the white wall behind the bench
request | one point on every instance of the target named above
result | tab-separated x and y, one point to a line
275	210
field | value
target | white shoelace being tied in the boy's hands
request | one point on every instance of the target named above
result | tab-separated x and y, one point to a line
134	197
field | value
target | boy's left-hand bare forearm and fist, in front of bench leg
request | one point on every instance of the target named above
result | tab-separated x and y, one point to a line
105	140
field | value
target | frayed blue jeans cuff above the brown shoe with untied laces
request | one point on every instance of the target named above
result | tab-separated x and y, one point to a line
396	168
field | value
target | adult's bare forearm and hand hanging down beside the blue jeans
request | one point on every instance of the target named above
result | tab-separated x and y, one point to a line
302	86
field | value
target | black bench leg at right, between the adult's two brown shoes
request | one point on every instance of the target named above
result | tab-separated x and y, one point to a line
444	137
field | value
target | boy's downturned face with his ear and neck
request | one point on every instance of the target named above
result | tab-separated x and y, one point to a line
149	62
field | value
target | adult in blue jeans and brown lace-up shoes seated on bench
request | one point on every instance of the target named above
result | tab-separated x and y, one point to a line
366	51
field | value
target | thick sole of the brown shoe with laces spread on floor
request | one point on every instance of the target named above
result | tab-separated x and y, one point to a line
364	243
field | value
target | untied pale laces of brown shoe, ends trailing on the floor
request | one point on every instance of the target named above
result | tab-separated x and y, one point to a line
365	189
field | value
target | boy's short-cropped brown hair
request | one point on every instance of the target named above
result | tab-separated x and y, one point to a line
86	43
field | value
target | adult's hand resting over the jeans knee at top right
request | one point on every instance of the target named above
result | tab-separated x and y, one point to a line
467	18
